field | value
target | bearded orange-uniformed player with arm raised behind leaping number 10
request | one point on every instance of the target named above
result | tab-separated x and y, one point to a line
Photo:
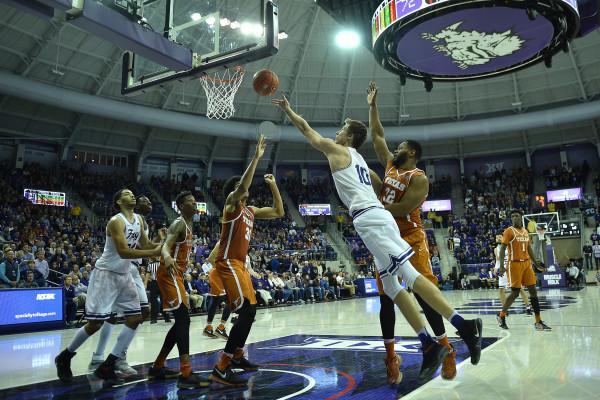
402	192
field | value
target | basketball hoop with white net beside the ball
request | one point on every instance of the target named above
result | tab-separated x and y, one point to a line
220	89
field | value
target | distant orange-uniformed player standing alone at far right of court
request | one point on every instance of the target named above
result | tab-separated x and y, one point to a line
520	269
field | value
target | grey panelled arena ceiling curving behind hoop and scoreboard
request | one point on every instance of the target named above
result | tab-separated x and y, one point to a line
323	82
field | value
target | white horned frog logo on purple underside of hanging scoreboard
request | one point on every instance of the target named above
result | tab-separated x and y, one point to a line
474	48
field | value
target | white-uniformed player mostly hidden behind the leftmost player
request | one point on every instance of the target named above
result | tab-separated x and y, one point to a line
144	207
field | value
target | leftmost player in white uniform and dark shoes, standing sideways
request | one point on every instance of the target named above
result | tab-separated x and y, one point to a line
112	287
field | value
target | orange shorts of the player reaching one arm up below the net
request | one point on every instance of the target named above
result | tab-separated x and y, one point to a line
237	283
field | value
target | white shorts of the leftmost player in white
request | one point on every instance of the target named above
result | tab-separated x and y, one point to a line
110	291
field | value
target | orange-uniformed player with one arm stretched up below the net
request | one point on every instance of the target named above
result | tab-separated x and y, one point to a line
236	231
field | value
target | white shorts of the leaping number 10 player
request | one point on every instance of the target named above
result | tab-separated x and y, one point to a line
378	230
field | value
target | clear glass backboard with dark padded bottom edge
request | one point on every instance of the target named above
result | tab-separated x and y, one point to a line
220	34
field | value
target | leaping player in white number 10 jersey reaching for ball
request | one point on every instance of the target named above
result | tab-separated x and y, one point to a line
379	231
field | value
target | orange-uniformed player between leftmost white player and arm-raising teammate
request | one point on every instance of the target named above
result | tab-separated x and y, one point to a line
173	263
